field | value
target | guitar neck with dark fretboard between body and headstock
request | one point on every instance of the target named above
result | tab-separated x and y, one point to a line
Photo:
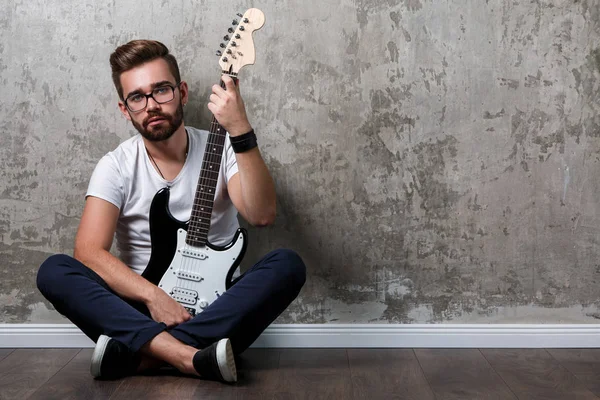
197	234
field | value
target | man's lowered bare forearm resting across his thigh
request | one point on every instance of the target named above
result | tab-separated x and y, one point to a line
117	275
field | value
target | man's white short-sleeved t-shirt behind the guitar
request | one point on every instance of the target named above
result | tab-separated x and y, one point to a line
127	178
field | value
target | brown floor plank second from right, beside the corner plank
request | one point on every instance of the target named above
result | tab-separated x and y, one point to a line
535	374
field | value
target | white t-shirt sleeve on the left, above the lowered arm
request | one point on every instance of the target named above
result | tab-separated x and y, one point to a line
106	182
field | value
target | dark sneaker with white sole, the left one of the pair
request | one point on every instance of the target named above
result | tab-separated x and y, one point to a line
112	359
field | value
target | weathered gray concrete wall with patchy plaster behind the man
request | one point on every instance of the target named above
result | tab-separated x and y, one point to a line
435	161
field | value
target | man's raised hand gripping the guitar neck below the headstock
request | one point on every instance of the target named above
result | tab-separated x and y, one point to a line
228	107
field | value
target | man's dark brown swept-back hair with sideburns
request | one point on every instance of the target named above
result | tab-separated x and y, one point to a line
136	53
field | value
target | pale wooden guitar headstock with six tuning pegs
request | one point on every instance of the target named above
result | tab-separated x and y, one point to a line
239	50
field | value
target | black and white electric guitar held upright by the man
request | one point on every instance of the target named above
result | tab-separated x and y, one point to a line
182	261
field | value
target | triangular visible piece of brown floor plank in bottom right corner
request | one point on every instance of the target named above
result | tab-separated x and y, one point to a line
583	363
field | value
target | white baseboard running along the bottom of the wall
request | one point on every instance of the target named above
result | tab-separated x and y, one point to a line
351	336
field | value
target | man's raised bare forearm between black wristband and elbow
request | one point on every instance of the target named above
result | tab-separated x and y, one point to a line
258	189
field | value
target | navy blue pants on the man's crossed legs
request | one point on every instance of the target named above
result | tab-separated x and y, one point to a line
241	313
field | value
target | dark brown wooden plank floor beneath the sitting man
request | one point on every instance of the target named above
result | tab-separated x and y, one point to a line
419	374
